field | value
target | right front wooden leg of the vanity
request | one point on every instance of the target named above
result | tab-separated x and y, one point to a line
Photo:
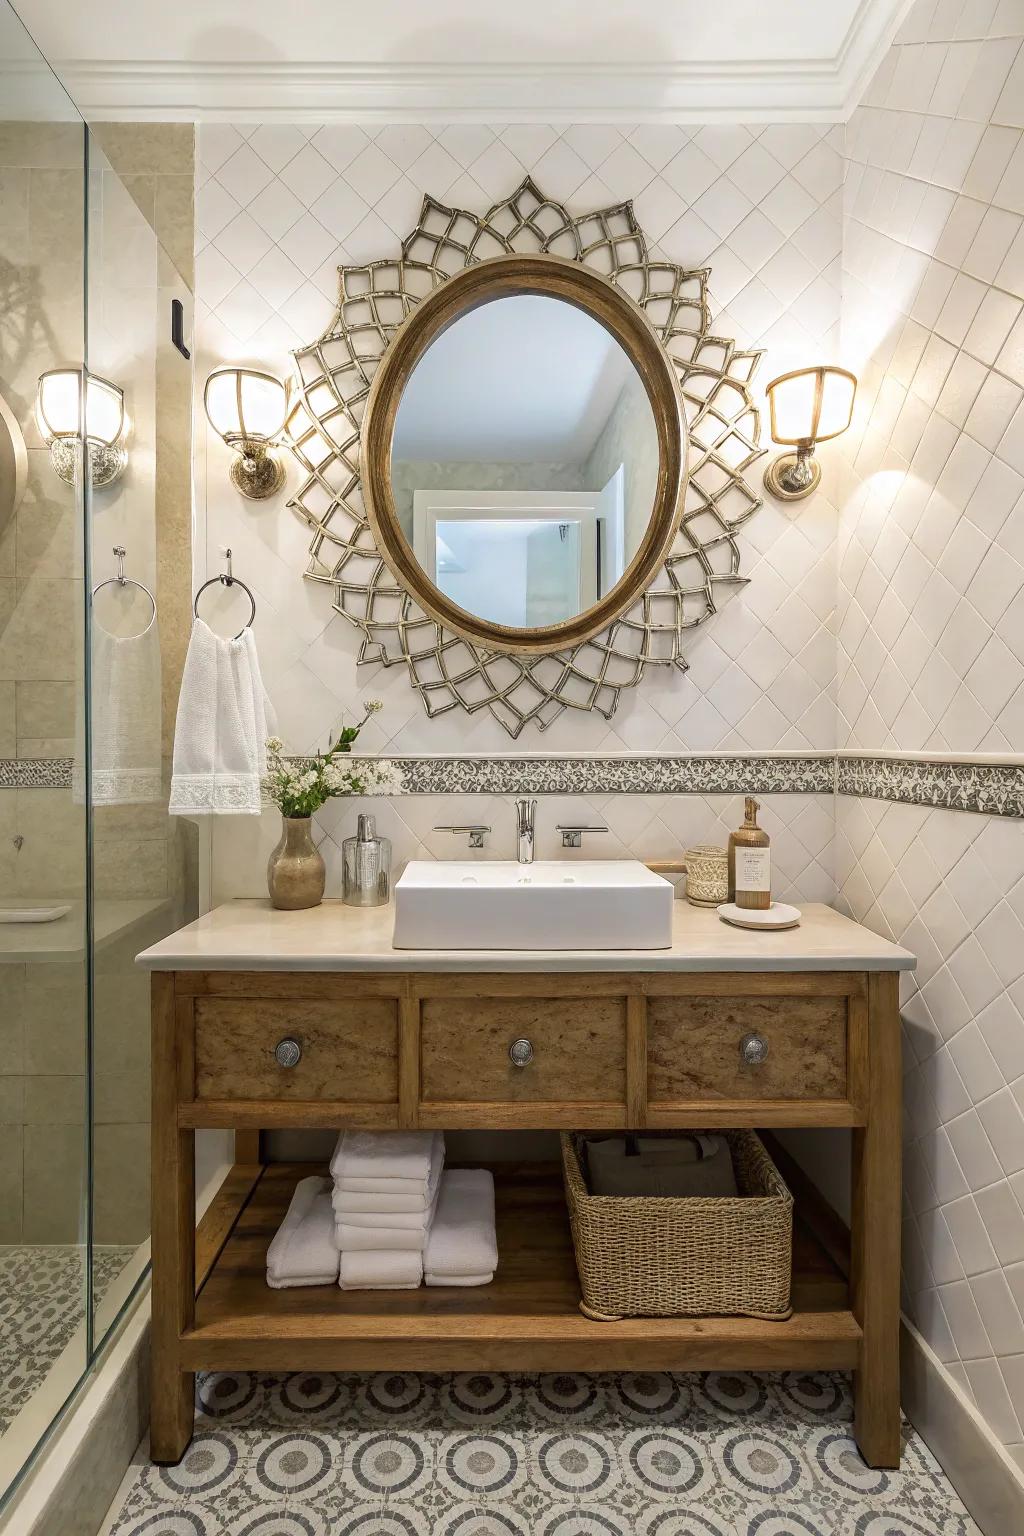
876	1233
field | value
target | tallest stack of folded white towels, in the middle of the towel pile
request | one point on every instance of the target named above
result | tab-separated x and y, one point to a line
388	1185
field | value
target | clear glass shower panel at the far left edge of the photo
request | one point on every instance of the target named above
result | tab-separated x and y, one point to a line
44	818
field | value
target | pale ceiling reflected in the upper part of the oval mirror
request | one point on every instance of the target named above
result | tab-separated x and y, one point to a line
518	382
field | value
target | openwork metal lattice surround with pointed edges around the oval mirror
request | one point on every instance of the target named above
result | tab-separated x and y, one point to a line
334	379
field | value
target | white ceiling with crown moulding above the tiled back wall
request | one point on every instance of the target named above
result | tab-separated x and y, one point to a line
644	59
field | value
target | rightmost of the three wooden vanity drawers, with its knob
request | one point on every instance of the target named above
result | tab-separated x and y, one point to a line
696	1048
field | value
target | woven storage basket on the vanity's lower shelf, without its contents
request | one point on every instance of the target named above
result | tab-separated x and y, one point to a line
659	1259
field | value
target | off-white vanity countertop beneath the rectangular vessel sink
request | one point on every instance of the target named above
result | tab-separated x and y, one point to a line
253	936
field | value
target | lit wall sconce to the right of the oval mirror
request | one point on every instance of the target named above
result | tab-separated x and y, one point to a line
808	406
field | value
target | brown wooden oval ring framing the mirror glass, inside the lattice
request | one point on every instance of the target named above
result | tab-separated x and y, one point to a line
506	277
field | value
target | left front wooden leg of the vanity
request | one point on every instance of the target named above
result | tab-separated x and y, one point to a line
173	1391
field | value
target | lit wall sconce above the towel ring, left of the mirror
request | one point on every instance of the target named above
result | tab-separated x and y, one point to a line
248	409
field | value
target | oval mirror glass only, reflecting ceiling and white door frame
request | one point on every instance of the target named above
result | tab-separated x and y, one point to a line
526	462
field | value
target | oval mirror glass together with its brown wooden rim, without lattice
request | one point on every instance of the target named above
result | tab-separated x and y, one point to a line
524	454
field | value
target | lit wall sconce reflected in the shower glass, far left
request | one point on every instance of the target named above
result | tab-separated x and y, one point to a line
59	402
